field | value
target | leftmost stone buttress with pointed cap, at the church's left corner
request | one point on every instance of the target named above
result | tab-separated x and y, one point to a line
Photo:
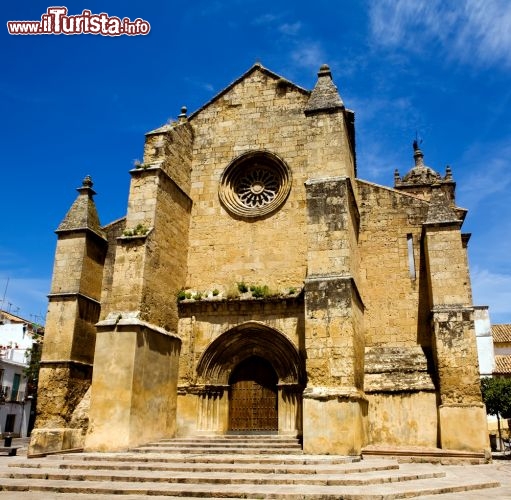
74	308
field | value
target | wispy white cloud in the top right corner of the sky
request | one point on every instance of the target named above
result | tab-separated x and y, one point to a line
471	31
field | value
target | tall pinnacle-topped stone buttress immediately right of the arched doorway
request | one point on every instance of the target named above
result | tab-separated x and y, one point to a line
334	405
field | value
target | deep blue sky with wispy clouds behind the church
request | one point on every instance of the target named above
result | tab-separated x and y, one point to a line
77	105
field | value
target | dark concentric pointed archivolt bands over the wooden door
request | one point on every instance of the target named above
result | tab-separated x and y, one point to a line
250	339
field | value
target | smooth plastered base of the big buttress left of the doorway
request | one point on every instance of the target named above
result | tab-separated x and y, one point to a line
138	366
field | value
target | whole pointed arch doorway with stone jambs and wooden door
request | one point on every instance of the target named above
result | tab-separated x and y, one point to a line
251	367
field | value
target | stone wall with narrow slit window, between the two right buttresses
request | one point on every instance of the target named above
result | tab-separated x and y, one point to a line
396	305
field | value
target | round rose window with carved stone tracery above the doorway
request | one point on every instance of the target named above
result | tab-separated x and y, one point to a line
255	184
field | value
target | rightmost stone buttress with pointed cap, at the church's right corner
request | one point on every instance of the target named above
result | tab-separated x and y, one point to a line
452	319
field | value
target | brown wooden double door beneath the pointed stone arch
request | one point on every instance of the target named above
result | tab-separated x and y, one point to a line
253	396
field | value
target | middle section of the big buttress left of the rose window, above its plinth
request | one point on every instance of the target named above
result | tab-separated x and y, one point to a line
150	266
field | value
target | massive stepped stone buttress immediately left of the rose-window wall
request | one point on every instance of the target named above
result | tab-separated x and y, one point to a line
137	347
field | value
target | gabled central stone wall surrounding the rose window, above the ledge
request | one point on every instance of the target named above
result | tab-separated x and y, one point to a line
254	115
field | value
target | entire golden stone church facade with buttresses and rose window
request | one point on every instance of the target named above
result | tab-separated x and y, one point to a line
257	284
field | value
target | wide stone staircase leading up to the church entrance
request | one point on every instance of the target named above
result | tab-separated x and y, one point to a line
251	466
